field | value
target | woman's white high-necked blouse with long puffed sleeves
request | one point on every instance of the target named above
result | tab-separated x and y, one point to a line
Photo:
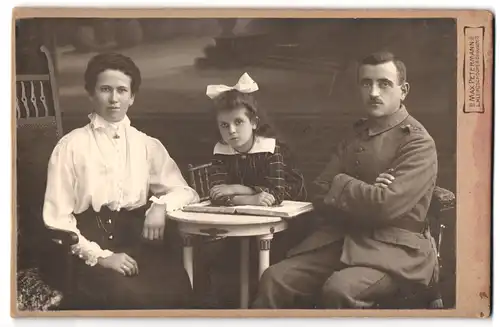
114	165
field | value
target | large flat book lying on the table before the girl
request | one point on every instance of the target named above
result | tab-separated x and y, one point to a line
287	209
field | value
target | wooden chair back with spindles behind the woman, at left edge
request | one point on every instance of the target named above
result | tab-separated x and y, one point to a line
39	128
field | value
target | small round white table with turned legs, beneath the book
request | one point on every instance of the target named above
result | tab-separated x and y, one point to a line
229	225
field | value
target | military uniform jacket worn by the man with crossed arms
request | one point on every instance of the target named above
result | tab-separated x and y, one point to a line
385	225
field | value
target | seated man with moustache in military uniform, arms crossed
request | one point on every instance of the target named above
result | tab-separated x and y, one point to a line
374	195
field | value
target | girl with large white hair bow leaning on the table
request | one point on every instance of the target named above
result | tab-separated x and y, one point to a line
250	165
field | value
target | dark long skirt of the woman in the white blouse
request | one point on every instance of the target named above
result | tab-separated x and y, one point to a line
162	282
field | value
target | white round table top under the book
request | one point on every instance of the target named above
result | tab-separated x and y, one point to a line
221	219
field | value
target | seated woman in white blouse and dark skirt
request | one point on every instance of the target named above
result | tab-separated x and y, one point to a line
99	180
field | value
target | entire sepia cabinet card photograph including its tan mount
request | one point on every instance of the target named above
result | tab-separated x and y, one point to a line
205	163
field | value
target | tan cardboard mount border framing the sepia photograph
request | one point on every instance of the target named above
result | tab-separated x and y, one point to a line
474	150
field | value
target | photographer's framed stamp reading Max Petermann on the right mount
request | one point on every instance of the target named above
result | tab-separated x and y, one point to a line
474	69
